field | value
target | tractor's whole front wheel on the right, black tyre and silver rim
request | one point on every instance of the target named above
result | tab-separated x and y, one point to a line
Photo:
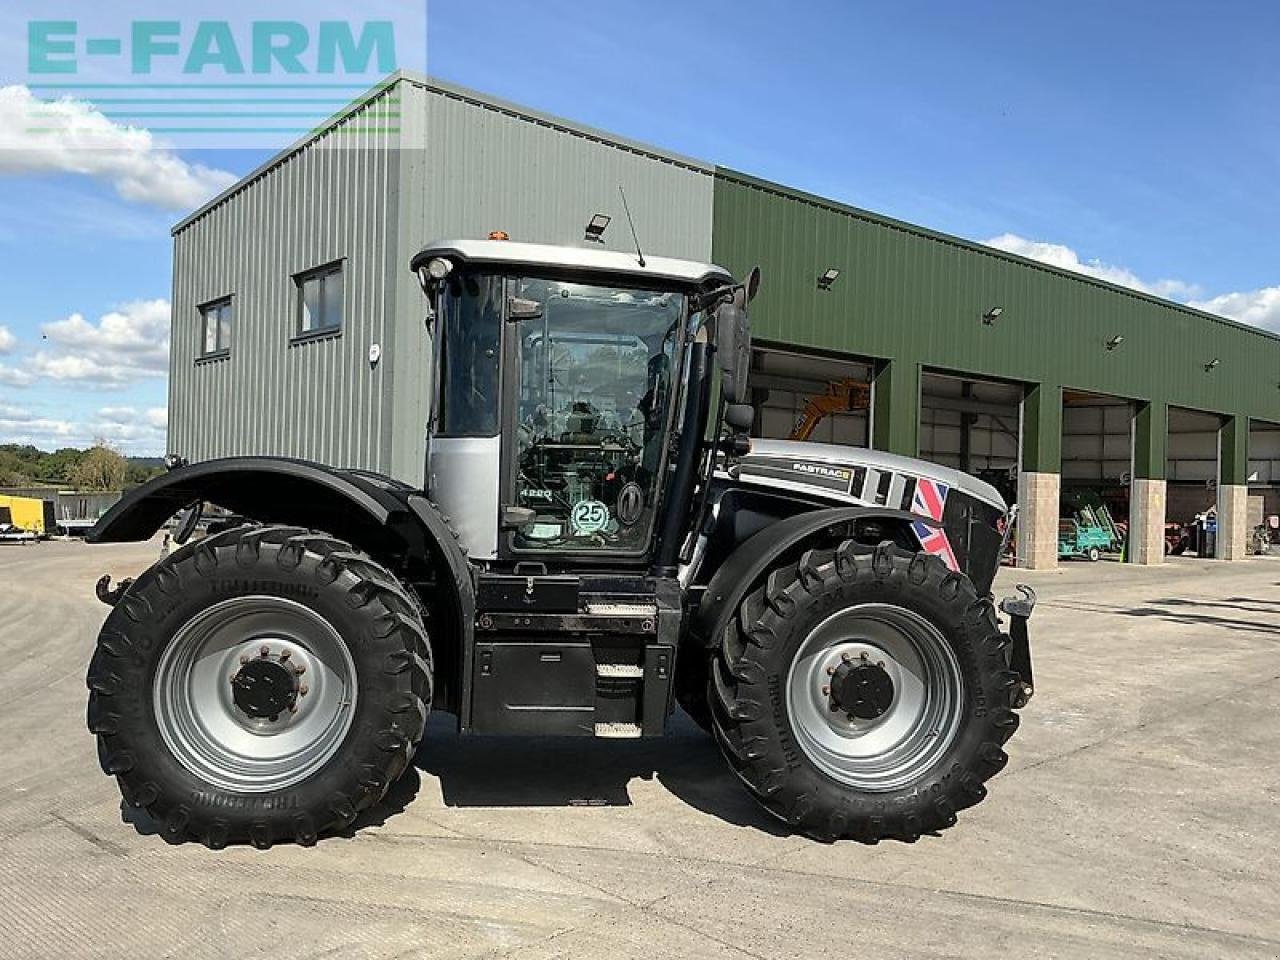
865	694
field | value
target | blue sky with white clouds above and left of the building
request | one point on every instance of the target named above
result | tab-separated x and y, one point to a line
1139	143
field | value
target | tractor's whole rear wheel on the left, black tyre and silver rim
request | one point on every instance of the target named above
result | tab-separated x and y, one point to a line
266	684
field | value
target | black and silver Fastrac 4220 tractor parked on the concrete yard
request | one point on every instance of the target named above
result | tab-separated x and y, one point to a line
598	541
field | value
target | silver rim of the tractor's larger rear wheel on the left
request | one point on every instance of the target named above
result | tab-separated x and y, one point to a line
218	742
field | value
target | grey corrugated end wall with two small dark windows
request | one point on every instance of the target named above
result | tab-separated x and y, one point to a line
273	395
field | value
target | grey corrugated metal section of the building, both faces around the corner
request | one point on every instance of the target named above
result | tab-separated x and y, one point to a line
464	167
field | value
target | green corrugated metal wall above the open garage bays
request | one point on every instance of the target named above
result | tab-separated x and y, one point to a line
907	294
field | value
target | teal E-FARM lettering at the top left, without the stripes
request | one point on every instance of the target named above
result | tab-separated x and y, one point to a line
212	48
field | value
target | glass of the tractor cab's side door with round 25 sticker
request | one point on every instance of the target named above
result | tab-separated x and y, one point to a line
593	405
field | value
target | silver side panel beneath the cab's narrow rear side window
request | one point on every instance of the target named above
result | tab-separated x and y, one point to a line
463	479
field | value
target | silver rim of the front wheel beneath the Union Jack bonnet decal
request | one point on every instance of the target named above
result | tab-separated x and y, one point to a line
922	720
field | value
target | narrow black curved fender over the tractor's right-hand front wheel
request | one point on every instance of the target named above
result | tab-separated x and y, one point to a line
747	565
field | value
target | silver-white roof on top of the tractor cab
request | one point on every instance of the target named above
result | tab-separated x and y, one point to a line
546	255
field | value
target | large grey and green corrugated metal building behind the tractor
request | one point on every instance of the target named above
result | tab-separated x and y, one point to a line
976	358
